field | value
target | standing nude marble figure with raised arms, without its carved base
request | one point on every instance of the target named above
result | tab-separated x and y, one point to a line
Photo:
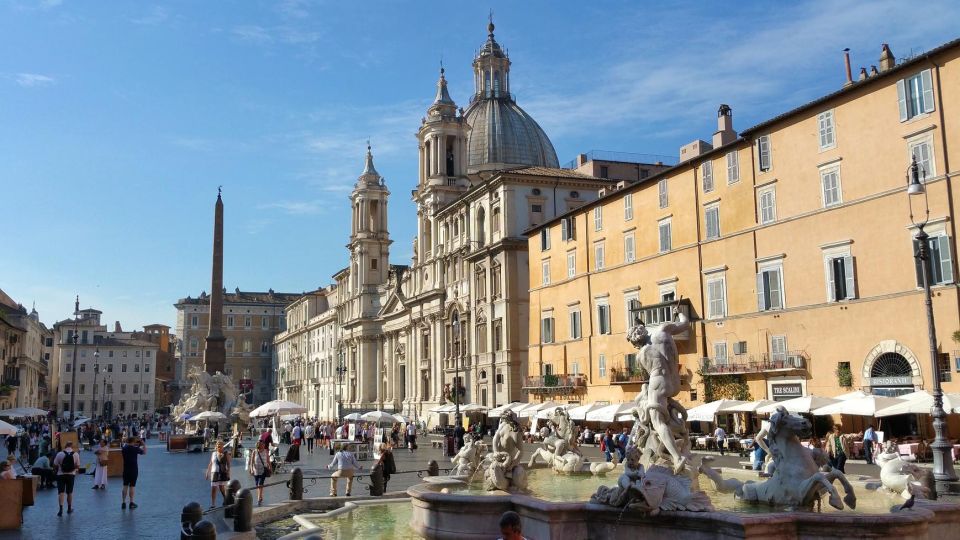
660	429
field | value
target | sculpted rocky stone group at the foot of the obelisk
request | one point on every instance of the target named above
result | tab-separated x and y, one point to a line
213	393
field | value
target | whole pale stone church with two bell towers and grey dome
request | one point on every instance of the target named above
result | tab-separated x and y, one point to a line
452	323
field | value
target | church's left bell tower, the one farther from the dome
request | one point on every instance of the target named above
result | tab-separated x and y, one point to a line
369	236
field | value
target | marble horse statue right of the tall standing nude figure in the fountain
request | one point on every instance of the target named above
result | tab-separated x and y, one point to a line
797	481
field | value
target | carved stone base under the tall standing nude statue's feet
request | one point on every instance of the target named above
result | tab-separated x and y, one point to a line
652	490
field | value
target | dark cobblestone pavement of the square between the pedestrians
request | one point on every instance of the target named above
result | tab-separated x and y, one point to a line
168	481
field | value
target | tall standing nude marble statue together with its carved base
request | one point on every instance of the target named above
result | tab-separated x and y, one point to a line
656	471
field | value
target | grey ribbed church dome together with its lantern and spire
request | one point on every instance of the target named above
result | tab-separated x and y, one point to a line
501	133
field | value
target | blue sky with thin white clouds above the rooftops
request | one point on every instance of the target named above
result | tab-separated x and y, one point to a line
118	120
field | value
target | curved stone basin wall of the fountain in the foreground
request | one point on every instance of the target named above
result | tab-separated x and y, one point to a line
440	511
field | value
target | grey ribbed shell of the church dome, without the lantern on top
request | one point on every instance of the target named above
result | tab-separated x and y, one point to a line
503	133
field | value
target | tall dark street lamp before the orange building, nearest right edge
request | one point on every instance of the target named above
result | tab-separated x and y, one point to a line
943	471
